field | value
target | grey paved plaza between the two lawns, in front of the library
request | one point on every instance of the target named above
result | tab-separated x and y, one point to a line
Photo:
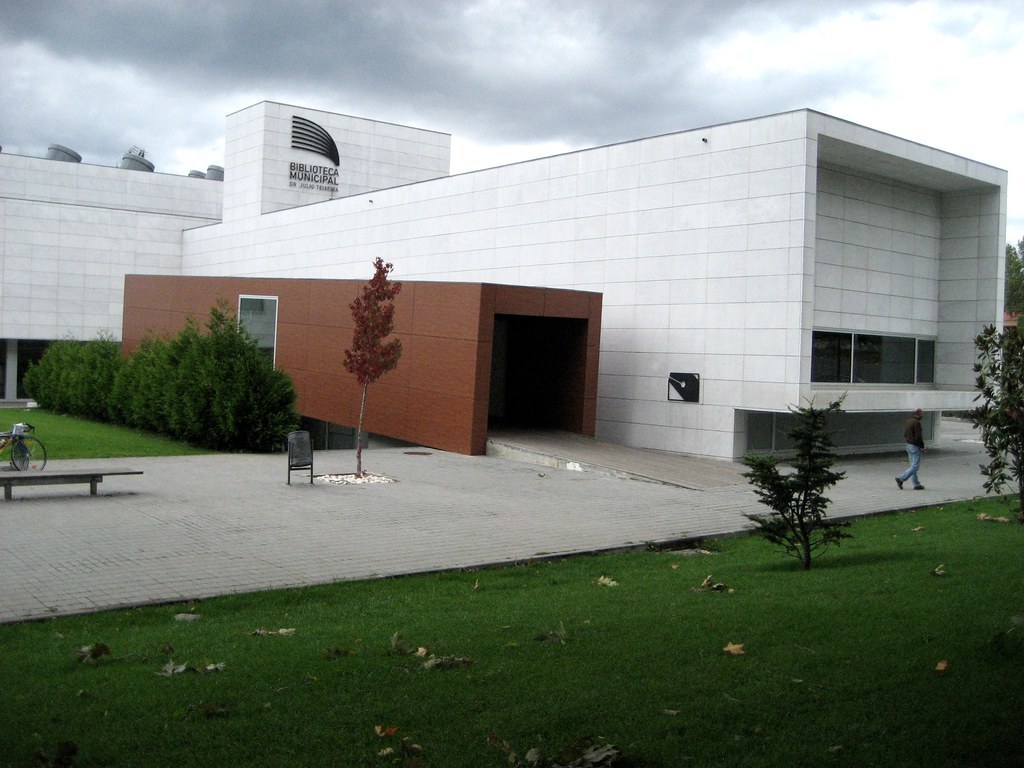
193	528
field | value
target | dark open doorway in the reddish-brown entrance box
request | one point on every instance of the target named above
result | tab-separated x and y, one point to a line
538	373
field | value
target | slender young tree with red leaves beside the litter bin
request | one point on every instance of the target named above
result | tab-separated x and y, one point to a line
370	357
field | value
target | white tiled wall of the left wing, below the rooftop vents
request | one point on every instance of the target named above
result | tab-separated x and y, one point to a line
70	234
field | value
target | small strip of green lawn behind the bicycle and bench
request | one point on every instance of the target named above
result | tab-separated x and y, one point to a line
70	438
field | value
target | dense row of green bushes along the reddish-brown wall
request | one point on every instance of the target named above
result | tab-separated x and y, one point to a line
215	390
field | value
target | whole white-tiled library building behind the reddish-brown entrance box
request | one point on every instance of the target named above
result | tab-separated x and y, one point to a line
745	268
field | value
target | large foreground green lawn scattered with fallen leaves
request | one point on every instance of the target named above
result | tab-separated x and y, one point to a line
841	666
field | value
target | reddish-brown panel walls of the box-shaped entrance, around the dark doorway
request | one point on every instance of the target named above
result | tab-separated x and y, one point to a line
438	396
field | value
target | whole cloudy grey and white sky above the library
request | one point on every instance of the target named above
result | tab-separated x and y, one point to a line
509	79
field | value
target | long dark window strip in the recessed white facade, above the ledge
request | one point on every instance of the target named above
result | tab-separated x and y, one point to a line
839	358
